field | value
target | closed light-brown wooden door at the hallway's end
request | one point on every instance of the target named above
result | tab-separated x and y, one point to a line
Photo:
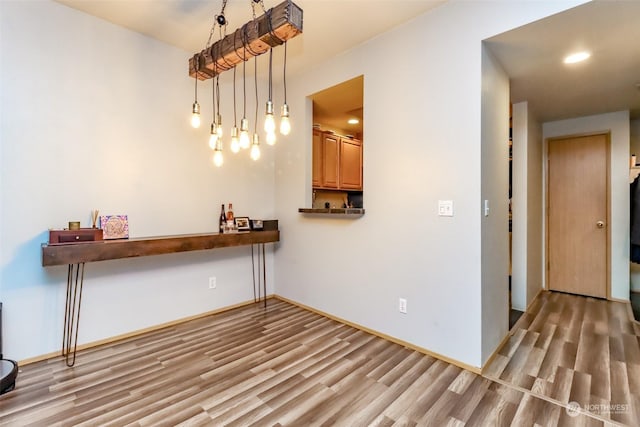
577	224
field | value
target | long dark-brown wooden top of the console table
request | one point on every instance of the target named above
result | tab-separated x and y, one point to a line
64	254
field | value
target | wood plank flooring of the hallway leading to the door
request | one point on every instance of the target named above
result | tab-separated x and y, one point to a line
577	349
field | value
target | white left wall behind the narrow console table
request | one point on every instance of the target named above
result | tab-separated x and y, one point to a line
96	116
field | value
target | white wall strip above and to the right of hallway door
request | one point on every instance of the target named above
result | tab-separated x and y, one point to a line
618	124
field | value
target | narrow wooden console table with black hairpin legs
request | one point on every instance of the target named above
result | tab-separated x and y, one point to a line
77	254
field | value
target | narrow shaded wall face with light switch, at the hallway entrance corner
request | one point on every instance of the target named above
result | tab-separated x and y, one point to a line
495	191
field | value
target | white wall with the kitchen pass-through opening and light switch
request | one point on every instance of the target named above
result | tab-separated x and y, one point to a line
422	139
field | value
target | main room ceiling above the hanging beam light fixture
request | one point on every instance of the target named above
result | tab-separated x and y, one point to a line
329	26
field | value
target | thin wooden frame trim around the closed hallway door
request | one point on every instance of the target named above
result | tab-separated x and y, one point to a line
607	135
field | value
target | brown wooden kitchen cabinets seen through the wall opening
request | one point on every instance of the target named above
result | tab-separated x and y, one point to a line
337	162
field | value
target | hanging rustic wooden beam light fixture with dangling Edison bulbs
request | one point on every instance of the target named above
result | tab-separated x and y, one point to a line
274	28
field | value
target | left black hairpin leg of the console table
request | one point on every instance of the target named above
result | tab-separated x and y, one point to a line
72	312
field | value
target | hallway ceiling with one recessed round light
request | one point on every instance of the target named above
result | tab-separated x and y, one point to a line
532	56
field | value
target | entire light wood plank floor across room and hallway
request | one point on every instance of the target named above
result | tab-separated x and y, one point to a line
286	366
